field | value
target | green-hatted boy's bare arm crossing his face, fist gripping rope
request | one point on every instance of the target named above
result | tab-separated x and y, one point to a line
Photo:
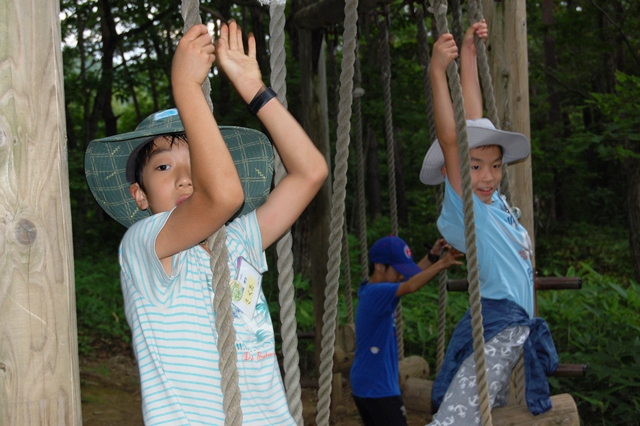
217	192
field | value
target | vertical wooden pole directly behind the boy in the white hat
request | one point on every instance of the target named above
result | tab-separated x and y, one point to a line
508	60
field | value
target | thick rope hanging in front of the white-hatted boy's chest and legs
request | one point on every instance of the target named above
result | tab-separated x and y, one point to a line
439	9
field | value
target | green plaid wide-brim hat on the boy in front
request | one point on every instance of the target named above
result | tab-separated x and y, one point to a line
107	162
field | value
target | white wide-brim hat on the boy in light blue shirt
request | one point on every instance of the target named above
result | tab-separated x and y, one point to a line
480	132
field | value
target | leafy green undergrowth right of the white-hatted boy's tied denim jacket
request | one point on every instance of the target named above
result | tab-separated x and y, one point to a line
598	326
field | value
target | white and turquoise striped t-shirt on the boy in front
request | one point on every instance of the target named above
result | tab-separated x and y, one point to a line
174	336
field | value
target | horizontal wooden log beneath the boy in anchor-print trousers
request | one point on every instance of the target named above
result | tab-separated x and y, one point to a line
564	412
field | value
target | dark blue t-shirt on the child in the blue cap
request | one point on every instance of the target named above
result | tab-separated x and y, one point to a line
374	373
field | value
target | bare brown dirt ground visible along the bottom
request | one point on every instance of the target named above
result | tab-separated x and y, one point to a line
110	395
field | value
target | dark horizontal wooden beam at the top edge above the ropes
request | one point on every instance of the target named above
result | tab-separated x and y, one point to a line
325	13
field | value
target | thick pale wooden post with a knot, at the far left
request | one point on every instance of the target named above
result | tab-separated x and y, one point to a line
39	375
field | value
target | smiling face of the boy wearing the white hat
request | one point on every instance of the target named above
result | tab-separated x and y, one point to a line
486	171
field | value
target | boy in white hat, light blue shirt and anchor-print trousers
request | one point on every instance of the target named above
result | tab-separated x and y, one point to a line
504	249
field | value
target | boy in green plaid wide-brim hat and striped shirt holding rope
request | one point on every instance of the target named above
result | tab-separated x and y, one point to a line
174	182
